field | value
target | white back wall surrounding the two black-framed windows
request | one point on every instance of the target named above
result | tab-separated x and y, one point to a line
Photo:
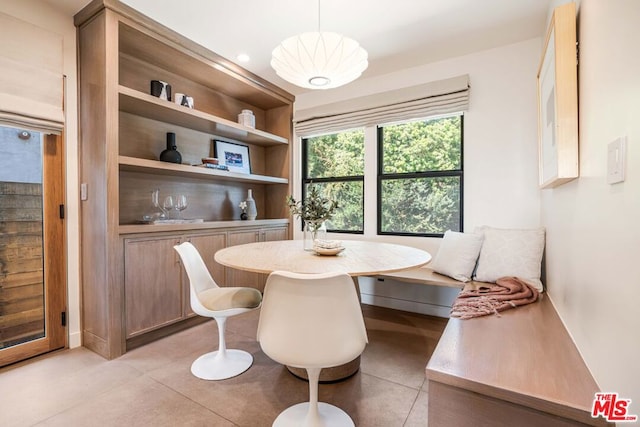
500	154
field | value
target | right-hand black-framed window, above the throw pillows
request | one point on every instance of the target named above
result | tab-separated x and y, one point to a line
420	177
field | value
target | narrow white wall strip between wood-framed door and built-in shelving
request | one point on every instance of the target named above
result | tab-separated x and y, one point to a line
45	16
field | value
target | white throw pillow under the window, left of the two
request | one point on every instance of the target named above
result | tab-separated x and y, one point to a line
457	255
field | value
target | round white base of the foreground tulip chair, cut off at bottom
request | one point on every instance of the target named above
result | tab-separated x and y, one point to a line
328	415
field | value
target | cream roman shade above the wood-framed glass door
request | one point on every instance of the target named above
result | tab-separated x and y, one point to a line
31	79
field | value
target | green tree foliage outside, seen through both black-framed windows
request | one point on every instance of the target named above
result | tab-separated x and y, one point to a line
413	201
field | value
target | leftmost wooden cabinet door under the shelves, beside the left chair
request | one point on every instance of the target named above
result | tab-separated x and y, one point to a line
153	284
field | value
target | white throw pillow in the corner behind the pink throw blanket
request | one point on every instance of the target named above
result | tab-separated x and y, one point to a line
511	252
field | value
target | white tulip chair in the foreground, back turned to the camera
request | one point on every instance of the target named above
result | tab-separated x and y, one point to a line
311	321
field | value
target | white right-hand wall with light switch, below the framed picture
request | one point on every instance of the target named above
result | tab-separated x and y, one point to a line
593	234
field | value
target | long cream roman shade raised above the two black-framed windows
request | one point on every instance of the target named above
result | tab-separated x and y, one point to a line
430	99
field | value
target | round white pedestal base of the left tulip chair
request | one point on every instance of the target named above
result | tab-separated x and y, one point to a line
212	367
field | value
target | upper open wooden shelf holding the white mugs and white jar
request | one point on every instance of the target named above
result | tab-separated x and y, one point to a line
142	104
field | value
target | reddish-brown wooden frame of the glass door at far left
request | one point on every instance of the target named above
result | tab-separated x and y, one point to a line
54	261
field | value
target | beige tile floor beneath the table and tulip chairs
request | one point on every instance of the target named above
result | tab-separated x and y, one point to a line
153	386
